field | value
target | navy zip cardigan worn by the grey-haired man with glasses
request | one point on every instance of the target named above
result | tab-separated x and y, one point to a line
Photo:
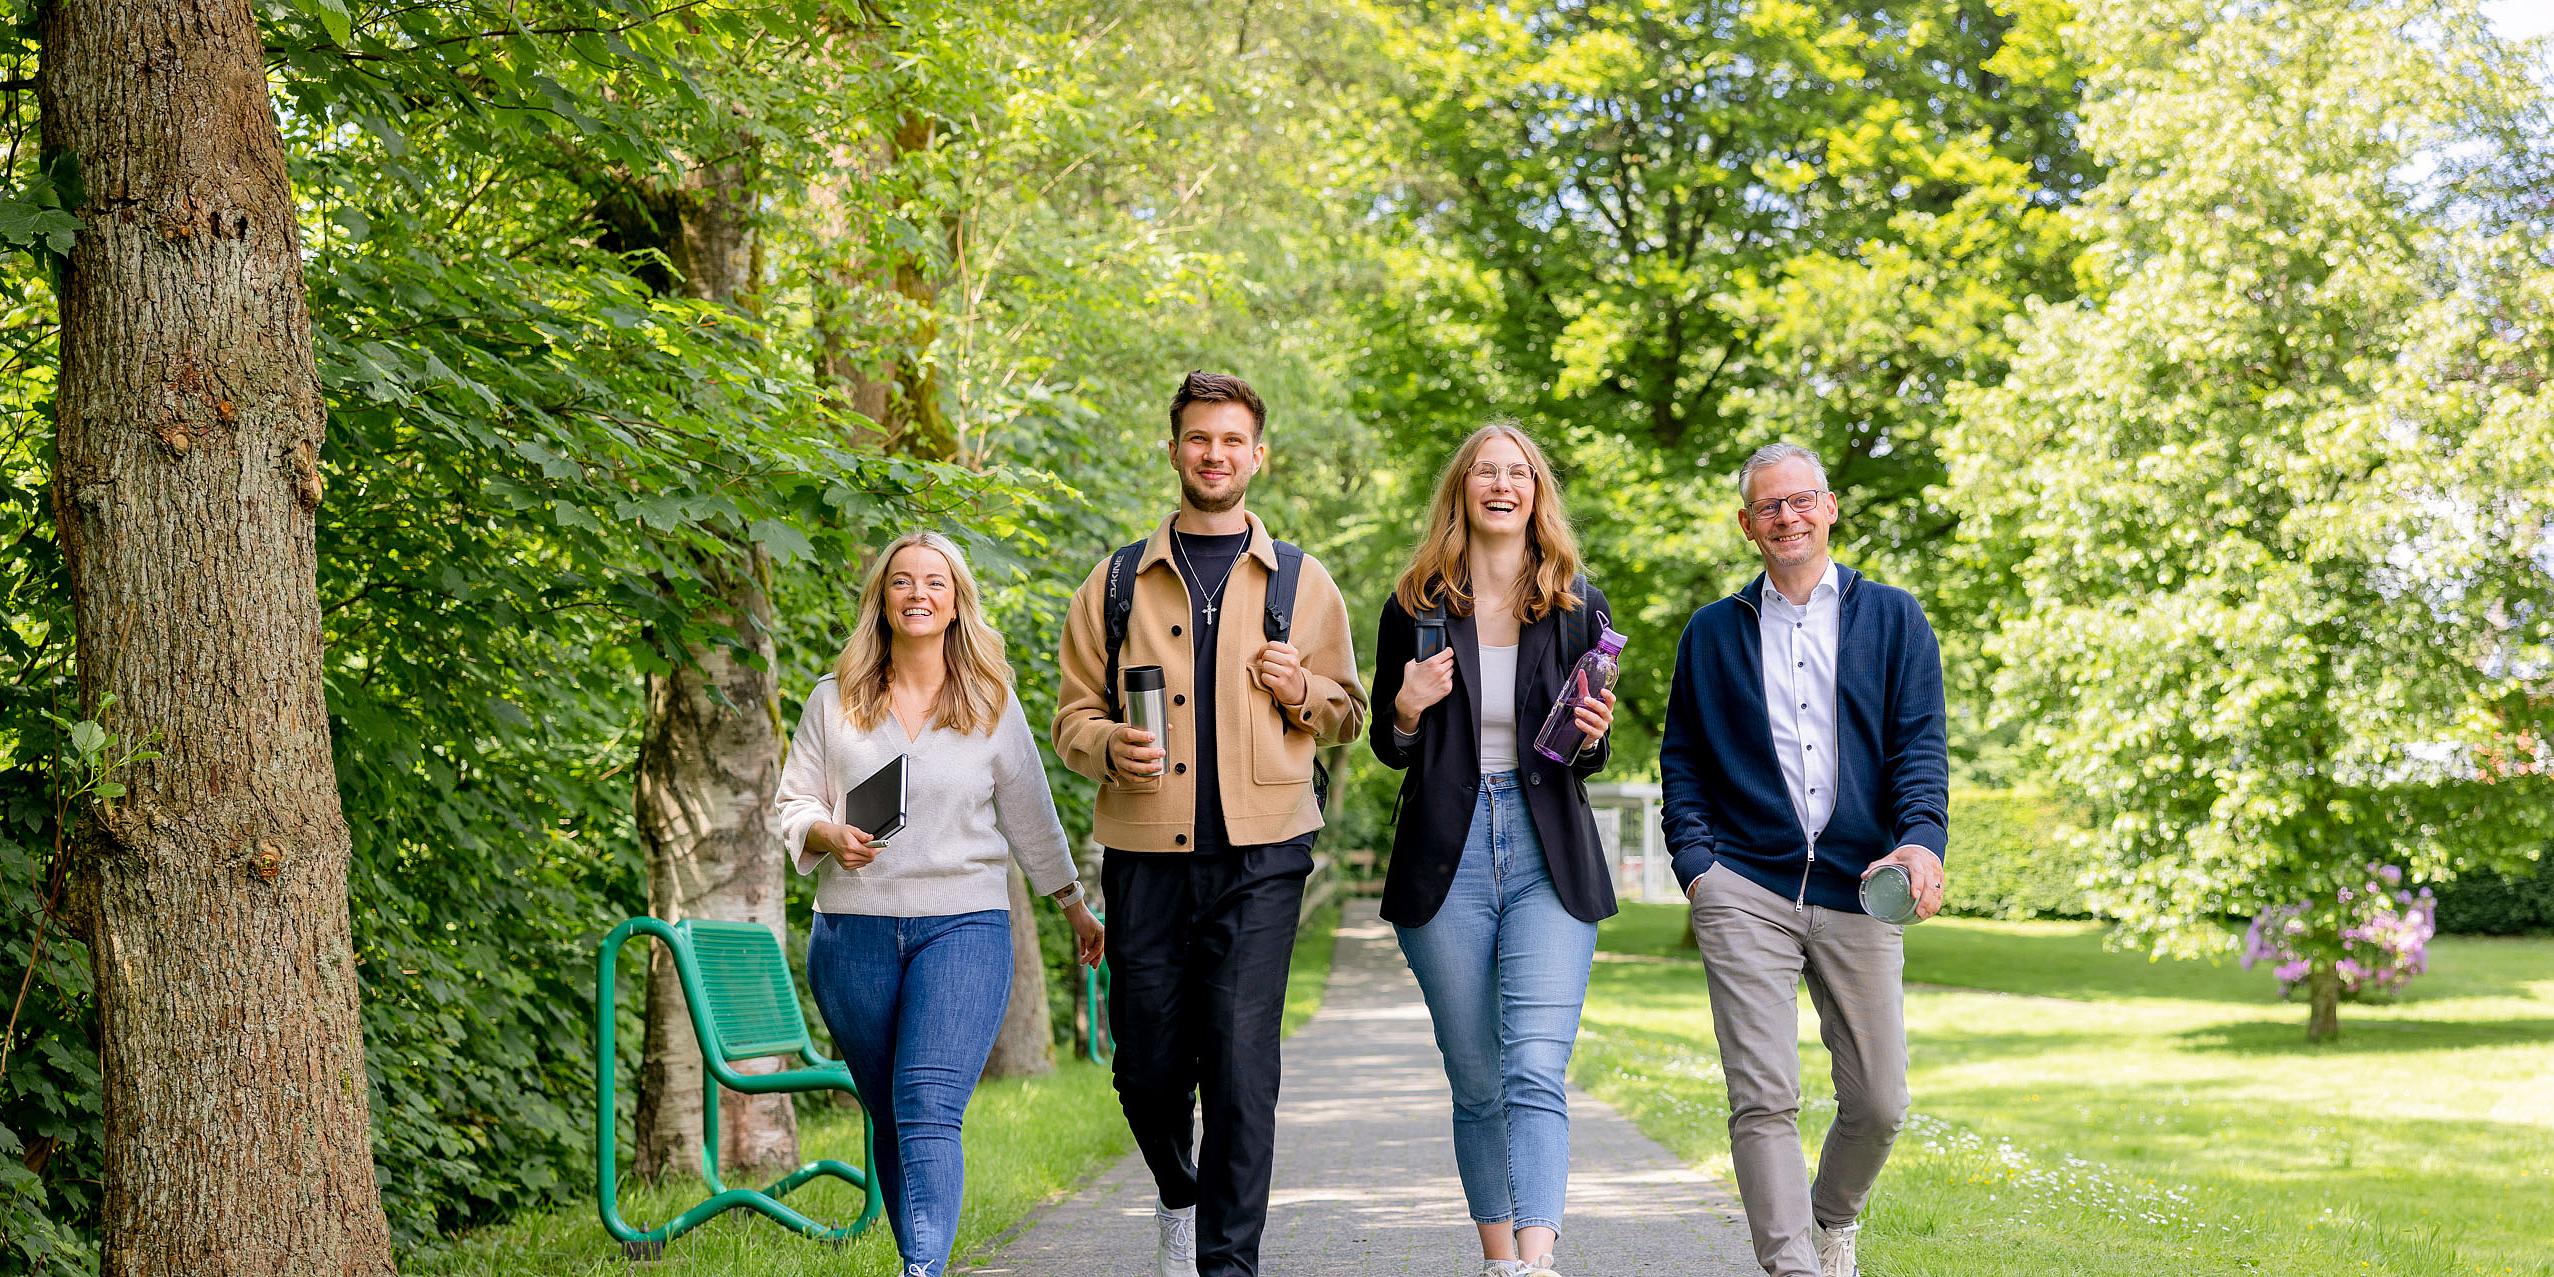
1725	796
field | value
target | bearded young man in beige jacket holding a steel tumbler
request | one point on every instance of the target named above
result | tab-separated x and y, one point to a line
1209	839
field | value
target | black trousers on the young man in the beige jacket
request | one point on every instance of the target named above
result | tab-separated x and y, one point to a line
1199	949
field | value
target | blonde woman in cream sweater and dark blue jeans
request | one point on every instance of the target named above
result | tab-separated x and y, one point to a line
911	954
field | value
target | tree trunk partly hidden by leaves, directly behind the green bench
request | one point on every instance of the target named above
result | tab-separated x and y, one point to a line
709	767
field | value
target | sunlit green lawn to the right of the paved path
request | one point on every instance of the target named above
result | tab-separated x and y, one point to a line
2090	1112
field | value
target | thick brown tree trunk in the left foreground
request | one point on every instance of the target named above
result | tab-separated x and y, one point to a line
239	1130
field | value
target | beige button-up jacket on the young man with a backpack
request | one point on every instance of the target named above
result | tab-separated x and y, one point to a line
1263	750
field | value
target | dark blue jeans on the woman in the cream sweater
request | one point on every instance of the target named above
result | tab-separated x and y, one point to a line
913	1008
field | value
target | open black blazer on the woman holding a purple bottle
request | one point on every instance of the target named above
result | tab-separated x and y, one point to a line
1444	767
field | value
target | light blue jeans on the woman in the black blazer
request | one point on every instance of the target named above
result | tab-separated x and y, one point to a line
1506	972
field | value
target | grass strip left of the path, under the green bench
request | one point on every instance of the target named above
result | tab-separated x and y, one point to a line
1028	1143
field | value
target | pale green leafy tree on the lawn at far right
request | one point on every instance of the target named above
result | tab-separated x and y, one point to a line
2269	520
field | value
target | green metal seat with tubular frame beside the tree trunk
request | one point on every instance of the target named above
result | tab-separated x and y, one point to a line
744	1008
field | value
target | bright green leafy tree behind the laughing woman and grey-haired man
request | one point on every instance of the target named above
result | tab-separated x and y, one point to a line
1666	234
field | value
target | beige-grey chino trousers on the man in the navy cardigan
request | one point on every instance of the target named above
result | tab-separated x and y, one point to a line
1756	954
